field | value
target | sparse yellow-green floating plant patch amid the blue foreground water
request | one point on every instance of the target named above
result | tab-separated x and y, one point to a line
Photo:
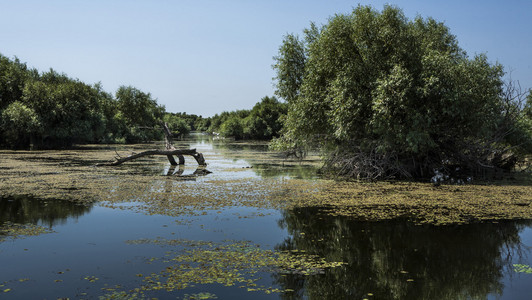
229	264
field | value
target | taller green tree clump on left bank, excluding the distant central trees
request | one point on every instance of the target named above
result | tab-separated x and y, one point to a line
54	110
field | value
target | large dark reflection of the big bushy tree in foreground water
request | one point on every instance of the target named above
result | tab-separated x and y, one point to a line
397	259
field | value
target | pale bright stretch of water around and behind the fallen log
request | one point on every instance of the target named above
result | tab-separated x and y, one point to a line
220	155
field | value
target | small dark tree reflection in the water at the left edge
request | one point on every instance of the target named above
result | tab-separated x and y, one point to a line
25	210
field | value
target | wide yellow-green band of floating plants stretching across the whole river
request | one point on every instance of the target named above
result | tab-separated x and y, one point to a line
142	187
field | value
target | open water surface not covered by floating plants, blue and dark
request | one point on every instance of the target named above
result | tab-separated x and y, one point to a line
96	251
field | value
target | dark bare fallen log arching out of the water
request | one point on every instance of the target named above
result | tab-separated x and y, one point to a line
170	151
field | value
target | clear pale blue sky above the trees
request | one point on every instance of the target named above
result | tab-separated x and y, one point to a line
207	56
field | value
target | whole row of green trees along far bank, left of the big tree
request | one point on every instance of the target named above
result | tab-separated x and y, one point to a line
50	110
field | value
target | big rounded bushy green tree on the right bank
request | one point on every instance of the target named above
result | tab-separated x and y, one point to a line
381	87
